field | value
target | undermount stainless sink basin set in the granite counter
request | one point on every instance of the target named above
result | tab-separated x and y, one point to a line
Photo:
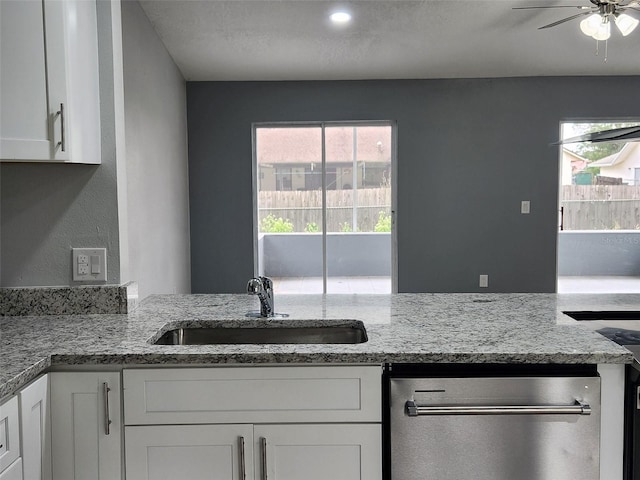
308	332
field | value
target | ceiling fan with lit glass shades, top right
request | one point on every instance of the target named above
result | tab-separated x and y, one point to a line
599	16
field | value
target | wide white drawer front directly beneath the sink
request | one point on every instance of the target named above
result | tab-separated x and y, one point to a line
252	395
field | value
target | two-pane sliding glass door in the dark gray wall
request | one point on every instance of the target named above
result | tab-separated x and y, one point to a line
323	206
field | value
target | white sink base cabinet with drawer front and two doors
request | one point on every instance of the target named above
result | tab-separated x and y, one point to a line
253	423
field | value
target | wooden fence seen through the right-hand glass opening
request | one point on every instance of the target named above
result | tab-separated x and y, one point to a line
601	207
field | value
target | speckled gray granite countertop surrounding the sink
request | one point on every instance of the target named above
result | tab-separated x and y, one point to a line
402	328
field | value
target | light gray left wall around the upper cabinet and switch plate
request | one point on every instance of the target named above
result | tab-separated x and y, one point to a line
135	205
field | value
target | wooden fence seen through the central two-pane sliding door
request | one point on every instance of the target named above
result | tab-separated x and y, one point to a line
303	208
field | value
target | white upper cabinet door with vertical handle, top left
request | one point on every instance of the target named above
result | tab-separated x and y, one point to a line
32	83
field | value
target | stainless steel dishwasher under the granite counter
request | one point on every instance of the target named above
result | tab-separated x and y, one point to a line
501	427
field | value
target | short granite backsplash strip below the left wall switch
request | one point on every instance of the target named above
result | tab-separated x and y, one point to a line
86	299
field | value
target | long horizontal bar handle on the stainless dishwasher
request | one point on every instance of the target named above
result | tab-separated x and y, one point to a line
579	408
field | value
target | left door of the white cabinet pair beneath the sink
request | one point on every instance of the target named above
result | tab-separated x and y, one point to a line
193	452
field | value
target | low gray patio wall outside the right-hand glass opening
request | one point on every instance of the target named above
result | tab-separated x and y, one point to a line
613	252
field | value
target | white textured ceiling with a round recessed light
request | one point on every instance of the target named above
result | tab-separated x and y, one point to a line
387	39
